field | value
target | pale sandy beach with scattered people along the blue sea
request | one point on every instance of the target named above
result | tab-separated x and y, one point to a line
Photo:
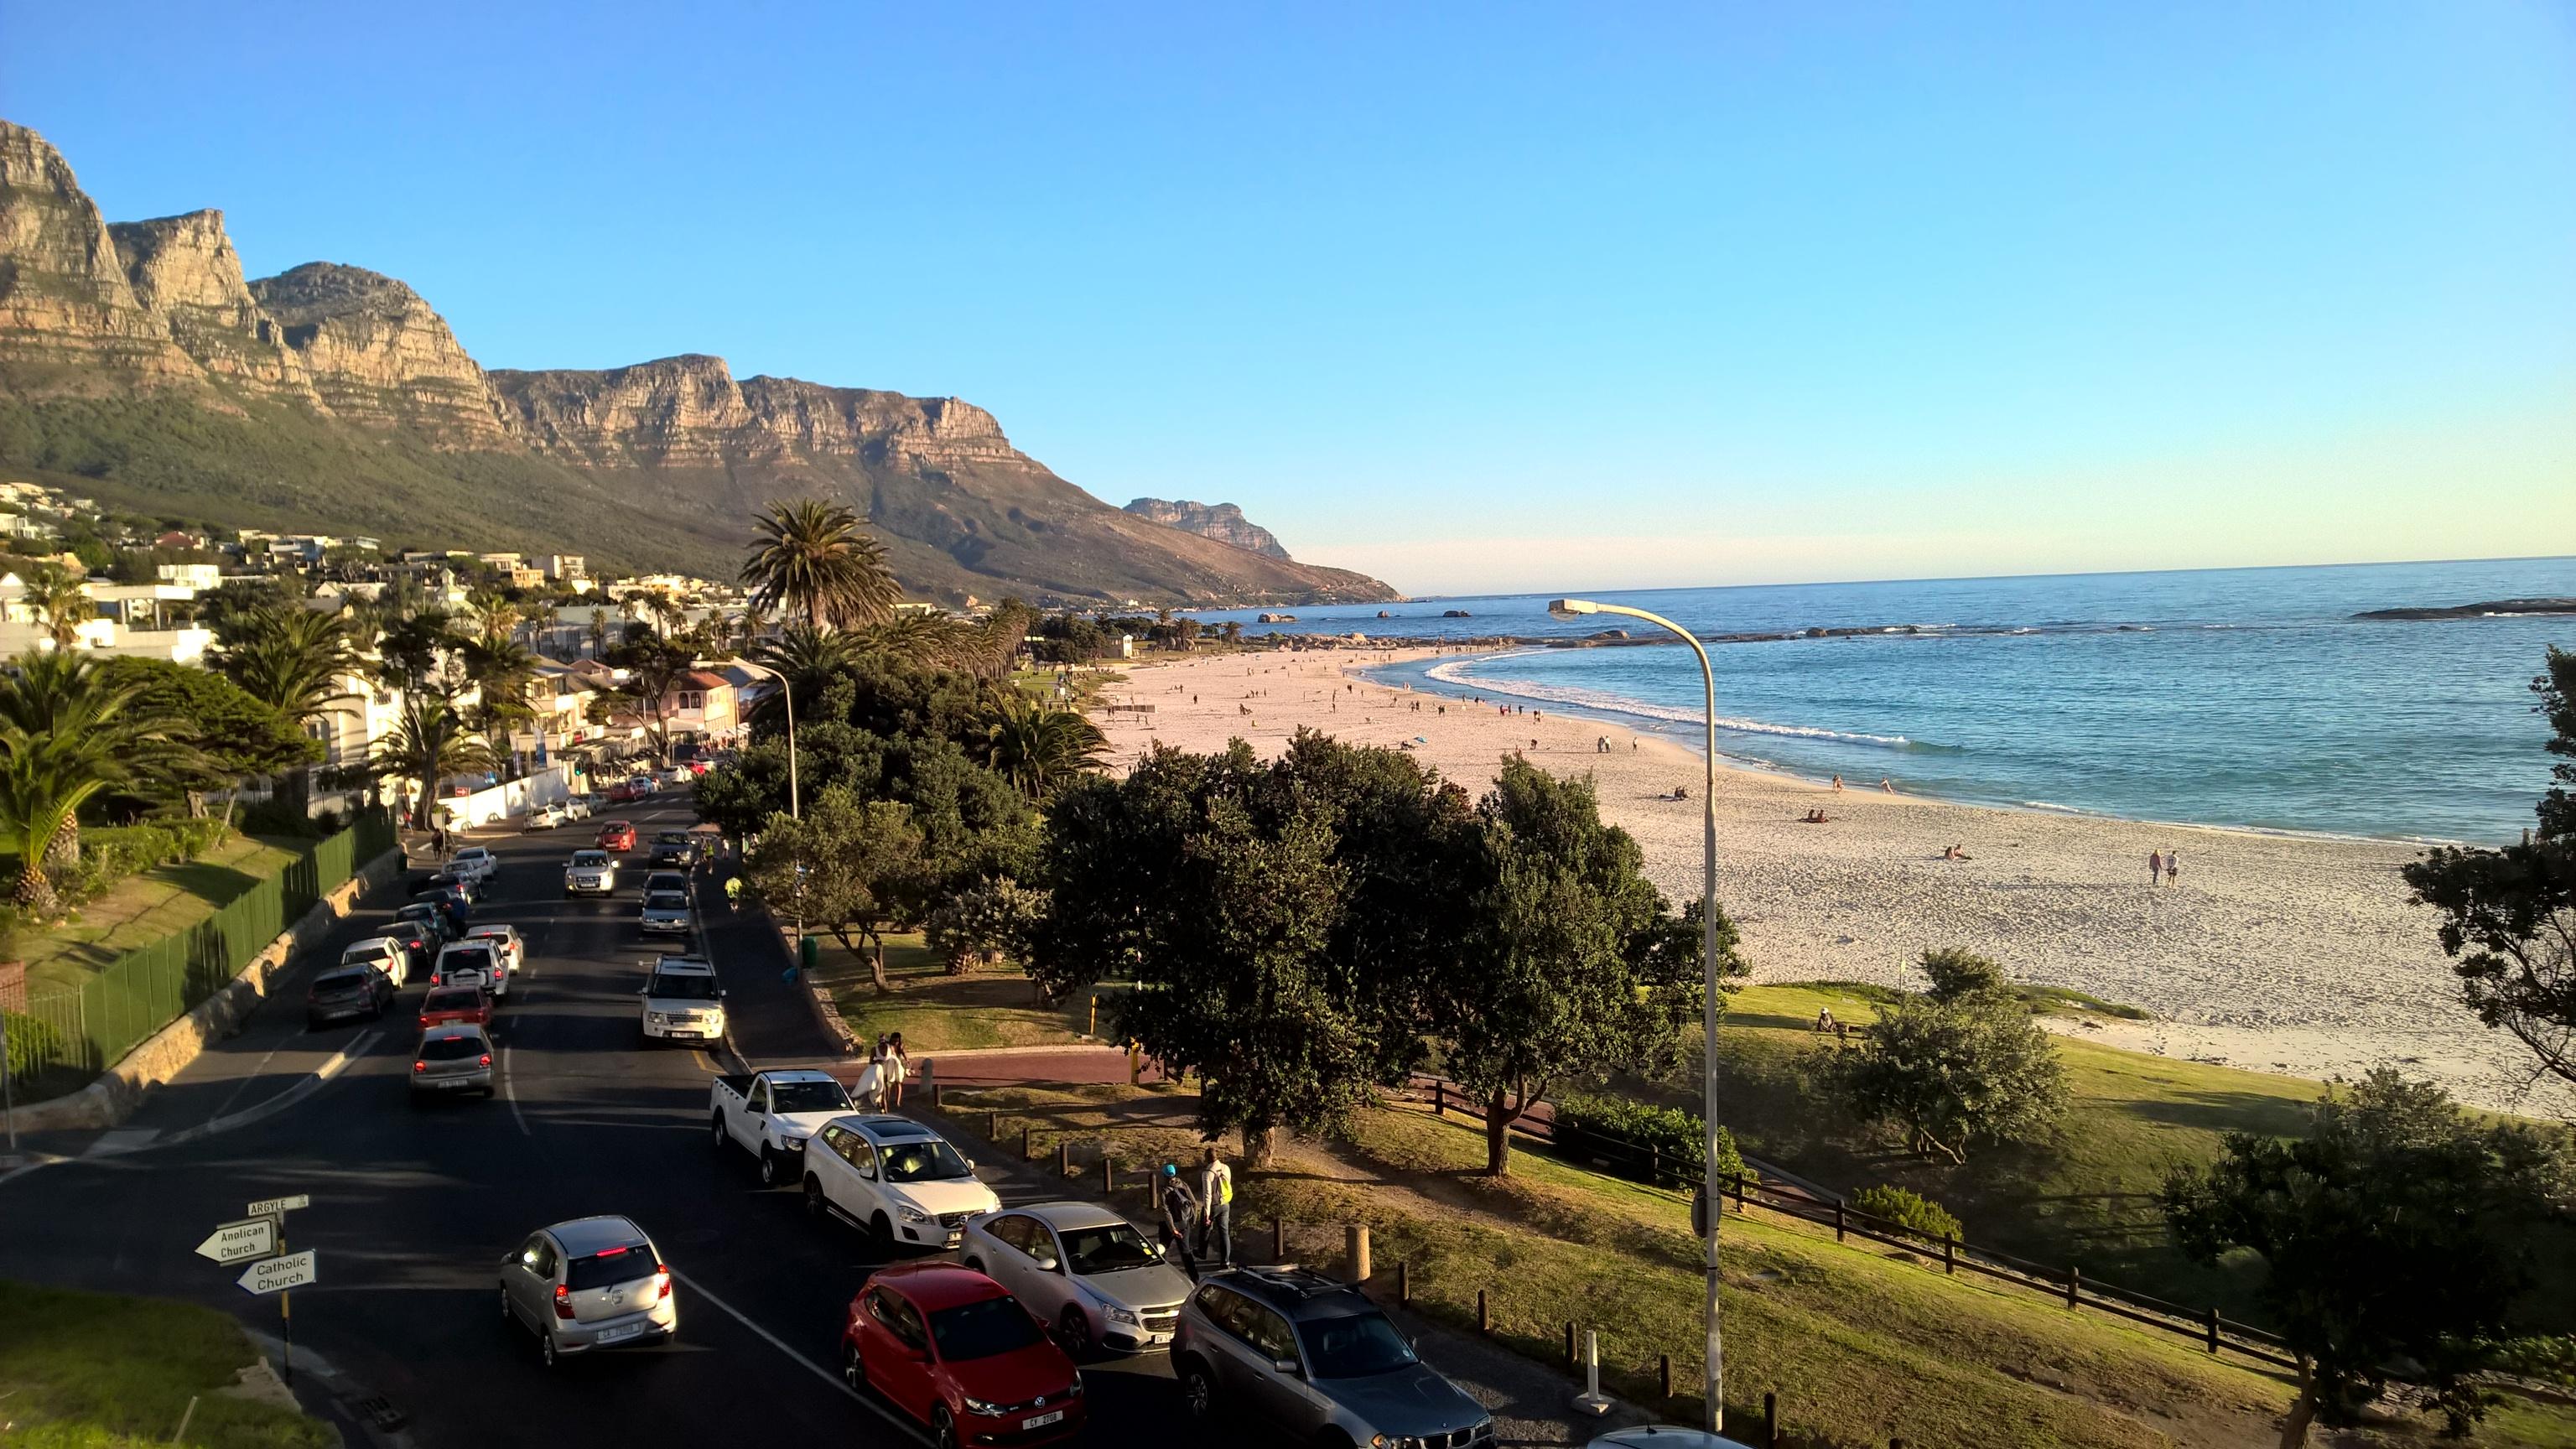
2276	953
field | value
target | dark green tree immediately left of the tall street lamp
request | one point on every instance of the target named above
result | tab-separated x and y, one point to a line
1573	963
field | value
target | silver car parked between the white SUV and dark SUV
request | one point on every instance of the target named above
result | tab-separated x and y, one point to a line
1083	1270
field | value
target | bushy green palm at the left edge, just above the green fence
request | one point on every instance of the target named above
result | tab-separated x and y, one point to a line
66	736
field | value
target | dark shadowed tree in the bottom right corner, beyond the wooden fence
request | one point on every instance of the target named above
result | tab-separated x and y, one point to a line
2397	1234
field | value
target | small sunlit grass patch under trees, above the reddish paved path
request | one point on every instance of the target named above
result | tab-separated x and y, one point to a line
939	1012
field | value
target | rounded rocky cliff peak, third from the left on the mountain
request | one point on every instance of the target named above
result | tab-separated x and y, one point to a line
380	355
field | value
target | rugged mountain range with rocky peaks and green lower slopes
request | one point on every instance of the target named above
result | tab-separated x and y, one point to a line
140	365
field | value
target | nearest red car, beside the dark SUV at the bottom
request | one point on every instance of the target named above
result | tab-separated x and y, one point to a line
954	1350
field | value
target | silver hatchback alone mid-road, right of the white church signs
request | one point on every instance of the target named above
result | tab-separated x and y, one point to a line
594	1283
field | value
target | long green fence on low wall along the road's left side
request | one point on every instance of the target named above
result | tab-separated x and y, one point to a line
66	1038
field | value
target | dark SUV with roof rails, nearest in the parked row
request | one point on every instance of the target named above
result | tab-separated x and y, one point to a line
1320	1363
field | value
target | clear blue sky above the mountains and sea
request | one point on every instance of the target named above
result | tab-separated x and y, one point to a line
1488	298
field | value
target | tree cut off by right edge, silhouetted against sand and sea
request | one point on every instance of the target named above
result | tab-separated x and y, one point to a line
2510	917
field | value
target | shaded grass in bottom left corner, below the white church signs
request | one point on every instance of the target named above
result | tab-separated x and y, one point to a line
109	1373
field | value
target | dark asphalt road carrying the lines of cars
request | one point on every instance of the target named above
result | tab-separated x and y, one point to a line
416	1205
